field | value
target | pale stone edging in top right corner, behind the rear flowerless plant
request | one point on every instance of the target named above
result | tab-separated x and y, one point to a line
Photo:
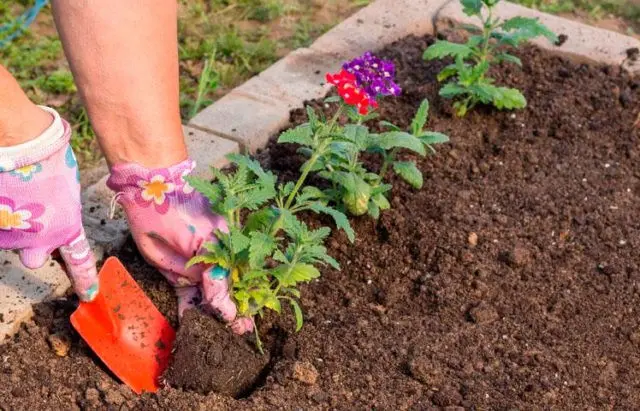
584	43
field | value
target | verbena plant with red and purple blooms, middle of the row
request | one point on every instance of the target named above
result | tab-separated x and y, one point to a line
334	151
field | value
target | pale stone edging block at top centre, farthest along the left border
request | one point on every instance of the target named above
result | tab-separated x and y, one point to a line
377	25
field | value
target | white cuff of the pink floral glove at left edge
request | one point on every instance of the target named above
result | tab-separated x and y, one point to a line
53	139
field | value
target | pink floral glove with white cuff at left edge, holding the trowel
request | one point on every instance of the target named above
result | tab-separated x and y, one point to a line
40	207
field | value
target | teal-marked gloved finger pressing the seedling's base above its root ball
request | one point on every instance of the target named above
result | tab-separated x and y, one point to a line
215	290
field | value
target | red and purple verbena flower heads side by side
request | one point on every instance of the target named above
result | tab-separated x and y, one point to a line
363	79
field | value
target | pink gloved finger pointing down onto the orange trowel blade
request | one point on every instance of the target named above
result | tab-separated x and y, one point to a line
81	267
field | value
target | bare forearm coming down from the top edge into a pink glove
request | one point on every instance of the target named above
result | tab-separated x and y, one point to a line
124	56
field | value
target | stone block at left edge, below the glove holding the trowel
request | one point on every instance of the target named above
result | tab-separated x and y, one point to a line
21	287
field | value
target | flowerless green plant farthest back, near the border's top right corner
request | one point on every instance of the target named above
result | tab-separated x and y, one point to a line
470	83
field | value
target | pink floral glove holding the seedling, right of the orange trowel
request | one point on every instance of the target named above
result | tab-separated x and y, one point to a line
169	222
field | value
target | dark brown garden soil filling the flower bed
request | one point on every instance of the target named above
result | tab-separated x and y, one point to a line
510	281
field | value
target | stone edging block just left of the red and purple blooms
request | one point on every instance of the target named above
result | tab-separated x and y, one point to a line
294	79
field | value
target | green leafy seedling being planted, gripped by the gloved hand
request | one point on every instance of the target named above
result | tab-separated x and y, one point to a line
268	252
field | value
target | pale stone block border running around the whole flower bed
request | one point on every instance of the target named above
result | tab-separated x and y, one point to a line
245	118
